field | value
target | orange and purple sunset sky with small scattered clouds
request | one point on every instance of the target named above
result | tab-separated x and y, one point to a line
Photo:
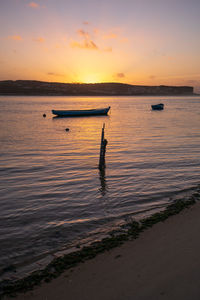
147	42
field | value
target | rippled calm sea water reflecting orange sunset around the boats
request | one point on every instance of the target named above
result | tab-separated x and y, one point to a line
52	194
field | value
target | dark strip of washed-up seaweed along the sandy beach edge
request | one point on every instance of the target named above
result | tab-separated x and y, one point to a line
59	265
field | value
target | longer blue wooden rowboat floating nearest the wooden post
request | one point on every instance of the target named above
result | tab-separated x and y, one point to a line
80	113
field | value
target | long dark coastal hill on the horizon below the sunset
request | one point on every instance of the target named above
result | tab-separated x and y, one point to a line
34	88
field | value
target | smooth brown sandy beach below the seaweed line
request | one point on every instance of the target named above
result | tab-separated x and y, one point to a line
163	263
